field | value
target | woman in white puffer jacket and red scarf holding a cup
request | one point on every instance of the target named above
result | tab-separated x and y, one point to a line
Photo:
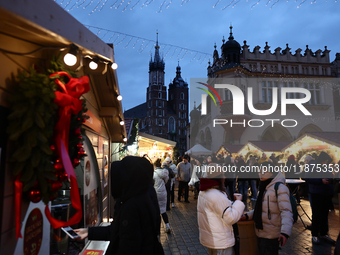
216	214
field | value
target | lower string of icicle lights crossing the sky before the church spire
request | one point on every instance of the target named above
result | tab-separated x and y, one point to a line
118	38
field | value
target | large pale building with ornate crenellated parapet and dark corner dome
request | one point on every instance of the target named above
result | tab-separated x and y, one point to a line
262	71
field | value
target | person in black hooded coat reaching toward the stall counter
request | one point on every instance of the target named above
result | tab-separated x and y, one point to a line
136	223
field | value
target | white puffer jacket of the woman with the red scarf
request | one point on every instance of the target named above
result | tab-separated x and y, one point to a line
215	223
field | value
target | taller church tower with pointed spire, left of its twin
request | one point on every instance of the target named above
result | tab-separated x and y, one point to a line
156	96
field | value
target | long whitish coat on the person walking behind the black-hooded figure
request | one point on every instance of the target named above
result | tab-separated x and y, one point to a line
161	176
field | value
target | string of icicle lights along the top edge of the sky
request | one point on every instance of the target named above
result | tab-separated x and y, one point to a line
133	3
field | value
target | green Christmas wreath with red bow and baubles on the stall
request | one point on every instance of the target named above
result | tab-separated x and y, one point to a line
45	127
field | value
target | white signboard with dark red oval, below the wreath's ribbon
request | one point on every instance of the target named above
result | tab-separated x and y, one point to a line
36	232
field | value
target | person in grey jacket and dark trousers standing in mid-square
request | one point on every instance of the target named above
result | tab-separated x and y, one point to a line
184	175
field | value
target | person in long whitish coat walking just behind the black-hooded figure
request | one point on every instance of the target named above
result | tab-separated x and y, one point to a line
160	177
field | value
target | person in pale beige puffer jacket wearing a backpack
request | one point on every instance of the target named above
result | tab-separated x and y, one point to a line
273	214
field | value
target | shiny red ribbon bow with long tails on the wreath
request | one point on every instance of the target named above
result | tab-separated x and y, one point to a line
69	103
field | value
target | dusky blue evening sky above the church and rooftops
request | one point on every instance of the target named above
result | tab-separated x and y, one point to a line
197	25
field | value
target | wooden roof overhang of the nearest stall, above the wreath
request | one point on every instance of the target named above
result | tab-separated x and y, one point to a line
47	26
